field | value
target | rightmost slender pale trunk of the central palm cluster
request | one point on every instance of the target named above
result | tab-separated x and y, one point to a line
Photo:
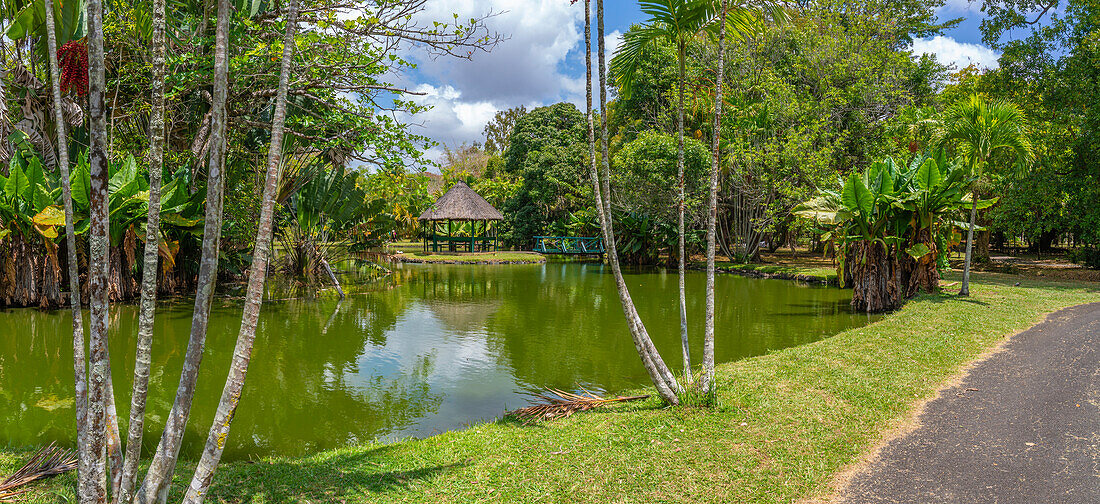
712	216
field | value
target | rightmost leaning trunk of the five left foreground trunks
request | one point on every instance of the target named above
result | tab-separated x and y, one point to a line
258	272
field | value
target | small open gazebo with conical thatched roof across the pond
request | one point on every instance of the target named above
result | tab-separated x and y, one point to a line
468	221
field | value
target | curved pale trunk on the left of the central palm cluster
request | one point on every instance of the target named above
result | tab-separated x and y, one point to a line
659	374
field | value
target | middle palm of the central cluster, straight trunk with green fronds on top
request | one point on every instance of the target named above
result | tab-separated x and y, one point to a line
678	23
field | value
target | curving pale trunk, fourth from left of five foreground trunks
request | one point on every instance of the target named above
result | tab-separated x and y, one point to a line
156	487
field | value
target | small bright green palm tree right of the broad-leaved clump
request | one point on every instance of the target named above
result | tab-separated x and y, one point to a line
981	129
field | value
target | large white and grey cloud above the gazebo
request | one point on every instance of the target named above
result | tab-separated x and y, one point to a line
530	68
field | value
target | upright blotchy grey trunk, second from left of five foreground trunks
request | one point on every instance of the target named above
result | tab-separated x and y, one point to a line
98	258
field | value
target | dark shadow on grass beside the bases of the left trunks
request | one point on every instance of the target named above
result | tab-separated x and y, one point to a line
328	479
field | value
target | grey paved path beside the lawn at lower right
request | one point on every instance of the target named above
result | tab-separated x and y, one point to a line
1022	428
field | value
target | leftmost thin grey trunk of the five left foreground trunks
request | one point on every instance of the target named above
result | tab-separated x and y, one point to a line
80	366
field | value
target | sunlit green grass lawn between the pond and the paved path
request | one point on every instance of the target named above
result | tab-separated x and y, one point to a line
785	424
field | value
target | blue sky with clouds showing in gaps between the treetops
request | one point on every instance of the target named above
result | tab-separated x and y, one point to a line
542	62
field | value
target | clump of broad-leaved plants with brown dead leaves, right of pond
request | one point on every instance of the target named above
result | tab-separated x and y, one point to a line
892	226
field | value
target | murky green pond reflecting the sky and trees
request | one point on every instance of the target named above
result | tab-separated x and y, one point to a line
424	350
